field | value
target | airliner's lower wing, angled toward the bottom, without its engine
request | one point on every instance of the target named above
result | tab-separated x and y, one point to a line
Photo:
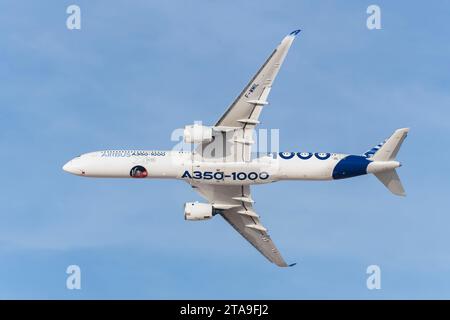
235	205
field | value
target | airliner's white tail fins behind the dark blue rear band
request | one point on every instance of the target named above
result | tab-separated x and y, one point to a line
387	151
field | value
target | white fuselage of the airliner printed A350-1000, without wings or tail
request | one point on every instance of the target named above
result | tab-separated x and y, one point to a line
181	165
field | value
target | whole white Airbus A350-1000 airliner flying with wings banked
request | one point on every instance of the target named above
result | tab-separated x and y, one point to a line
221	167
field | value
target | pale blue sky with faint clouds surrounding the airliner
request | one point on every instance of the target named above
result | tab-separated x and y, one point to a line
139	69
